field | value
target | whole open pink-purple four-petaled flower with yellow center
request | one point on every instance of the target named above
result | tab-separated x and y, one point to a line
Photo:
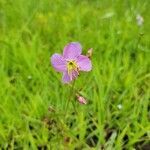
71	62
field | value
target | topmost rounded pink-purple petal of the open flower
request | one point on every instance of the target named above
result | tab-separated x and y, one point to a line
72	50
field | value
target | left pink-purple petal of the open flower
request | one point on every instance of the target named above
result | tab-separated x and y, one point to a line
58	62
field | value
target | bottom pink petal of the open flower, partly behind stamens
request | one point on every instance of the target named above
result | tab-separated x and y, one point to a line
68	78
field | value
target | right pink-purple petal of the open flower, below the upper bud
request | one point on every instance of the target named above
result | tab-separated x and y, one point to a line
84	63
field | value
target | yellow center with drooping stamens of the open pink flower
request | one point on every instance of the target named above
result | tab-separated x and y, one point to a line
72	66
